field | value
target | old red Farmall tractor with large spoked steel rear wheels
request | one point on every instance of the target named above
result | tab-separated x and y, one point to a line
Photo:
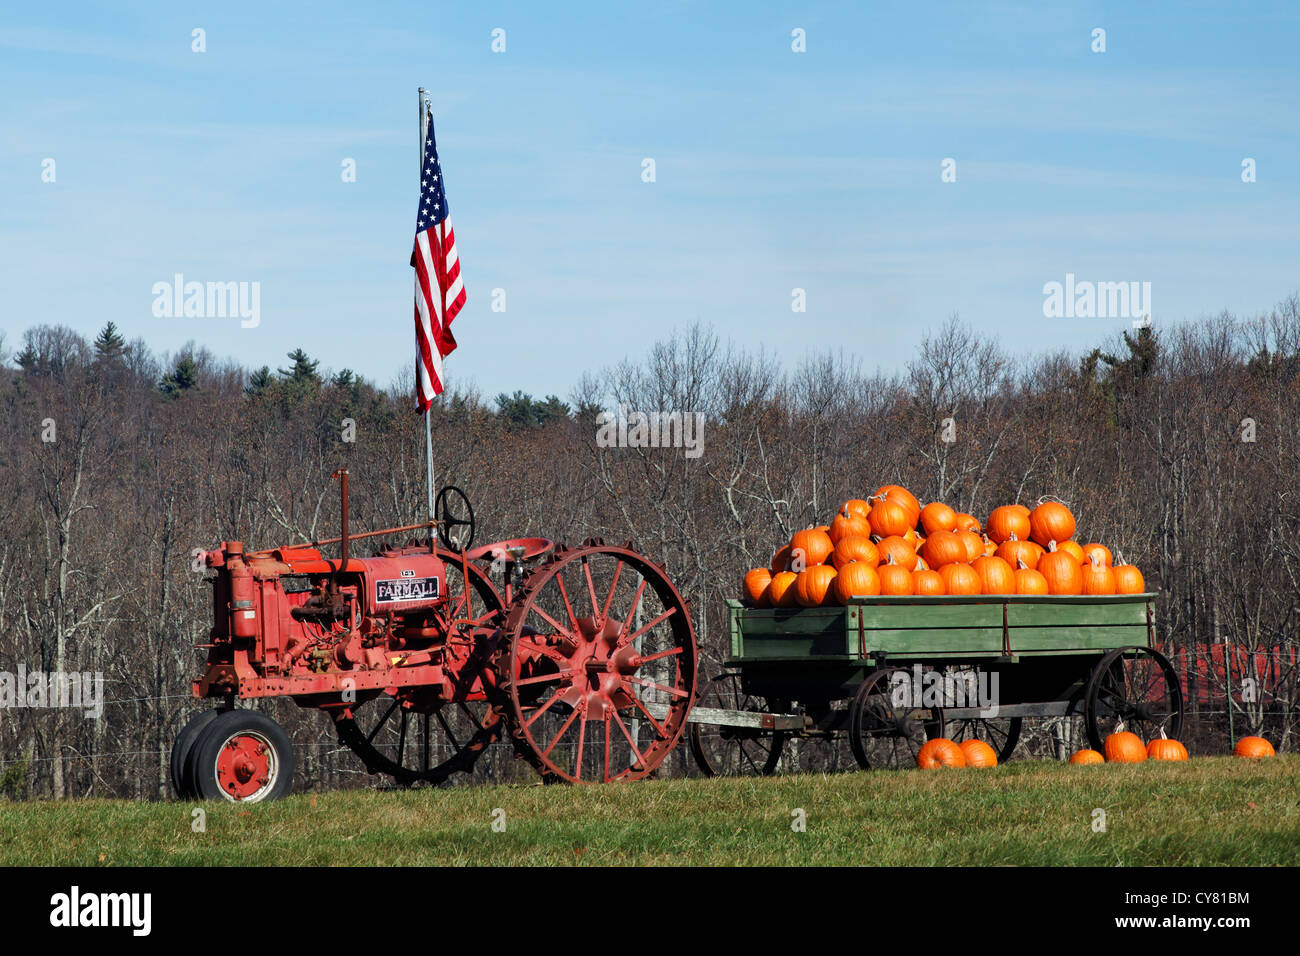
428	652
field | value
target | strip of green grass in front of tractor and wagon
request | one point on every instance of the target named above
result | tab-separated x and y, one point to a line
1210	811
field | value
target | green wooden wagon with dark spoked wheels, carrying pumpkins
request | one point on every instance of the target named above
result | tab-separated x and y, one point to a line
887	673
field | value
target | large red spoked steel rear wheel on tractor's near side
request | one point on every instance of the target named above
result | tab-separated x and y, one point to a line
596	671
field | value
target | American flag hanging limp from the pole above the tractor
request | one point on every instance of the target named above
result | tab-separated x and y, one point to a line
439	292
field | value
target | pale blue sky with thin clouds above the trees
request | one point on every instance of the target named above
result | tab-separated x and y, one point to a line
774	171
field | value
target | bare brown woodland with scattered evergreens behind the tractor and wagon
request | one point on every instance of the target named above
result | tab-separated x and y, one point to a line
1177	448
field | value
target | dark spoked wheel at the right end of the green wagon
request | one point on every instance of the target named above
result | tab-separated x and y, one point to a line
1138	687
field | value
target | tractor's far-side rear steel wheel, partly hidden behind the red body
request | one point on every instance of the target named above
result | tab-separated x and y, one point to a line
418	738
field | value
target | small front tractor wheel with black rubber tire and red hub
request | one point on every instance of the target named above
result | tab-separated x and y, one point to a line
242	756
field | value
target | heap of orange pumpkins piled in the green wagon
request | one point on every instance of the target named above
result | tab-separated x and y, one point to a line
889	544
